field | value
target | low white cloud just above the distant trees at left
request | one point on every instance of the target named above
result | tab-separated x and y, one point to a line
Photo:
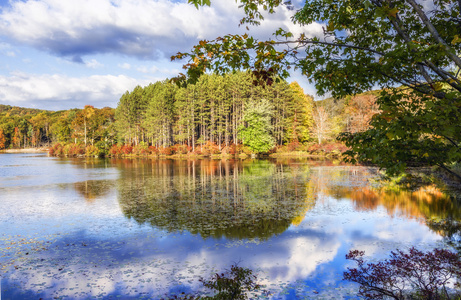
31	90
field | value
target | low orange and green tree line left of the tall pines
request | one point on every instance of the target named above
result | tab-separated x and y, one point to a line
25	128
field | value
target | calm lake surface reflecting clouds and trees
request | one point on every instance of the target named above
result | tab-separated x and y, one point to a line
130	229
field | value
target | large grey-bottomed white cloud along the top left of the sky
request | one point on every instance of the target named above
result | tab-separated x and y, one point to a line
142	28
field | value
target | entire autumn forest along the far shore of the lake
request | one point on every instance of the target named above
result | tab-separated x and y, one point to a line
219	114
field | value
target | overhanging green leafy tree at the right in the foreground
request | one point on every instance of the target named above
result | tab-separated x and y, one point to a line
408	48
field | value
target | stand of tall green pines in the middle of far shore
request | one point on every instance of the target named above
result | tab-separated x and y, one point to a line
223	110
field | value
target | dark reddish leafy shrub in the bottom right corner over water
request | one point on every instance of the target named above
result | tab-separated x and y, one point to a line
431	275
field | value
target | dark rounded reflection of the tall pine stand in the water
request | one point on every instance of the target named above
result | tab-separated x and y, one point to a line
235	199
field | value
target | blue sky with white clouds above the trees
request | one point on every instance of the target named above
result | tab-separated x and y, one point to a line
62	54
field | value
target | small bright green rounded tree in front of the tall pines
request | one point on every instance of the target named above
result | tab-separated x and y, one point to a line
256	133
